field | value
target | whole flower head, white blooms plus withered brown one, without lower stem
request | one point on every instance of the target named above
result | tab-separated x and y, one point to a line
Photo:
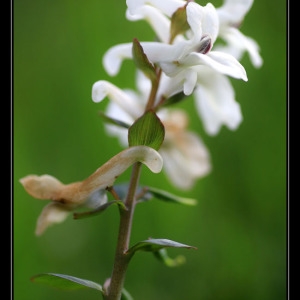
184	60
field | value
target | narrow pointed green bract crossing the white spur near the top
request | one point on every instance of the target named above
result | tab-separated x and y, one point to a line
142	62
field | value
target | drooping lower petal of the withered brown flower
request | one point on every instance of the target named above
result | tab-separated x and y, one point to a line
52	213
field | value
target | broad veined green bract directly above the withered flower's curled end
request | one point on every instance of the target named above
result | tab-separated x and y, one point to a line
147	130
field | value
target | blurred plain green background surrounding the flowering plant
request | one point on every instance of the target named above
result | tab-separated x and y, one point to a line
239	224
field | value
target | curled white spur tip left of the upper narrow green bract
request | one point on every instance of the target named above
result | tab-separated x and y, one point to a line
114	57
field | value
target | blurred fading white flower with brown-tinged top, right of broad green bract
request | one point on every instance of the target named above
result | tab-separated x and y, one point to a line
185	156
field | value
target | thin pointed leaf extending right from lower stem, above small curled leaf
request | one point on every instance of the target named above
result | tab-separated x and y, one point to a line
152	245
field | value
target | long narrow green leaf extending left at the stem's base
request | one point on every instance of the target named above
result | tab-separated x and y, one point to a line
65	282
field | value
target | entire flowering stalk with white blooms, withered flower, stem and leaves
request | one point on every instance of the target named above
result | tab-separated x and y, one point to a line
183	61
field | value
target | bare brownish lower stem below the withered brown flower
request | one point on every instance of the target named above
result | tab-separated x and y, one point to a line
121	262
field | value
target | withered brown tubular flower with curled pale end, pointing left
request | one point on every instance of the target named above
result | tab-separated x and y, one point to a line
68	197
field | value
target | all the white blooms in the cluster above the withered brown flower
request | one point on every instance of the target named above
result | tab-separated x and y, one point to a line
190	63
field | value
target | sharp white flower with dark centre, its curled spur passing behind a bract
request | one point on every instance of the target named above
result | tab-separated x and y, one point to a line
184	56
